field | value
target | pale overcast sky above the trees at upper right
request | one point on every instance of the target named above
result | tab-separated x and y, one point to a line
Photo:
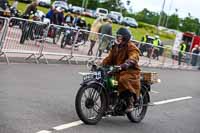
183	6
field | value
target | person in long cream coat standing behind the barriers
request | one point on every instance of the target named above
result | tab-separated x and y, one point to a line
93	36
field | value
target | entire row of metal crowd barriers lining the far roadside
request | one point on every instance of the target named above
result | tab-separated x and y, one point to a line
42	40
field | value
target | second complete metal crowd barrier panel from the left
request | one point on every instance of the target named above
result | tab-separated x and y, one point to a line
55	42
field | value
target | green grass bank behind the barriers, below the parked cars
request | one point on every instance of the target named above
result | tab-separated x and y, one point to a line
137	32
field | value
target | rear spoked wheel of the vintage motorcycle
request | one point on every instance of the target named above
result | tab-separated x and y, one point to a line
137	115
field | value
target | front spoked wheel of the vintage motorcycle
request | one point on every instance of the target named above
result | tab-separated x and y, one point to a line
90	104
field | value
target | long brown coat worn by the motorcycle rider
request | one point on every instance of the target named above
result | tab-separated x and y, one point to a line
128	79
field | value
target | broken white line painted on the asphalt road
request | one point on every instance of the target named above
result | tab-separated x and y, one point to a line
77	123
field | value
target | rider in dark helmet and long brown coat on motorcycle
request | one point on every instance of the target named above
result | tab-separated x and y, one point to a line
125	54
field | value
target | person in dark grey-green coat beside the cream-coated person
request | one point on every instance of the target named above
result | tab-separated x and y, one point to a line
106	29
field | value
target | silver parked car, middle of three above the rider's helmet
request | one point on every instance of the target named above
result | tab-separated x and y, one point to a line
116	17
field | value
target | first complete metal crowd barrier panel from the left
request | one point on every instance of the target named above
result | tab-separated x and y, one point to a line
24	37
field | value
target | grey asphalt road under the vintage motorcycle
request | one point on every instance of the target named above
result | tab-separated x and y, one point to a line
39	97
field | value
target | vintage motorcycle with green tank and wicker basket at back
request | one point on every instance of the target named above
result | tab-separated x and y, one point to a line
98	96
